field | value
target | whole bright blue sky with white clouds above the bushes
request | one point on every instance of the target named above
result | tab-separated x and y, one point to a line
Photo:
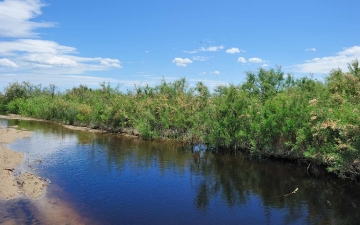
67	42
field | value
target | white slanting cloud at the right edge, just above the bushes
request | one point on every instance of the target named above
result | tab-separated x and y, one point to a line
328	63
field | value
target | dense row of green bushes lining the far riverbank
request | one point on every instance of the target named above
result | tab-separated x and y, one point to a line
271	113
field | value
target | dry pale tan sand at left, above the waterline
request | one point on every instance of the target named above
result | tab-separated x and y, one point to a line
27	184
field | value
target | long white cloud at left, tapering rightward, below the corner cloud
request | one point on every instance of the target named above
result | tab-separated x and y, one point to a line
34	54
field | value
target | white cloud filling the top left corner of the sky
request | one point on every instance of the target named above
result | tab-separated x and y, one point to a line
15	16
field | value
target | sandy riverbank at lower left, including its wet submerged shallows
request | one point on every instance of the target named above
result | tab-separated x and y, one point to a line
29	189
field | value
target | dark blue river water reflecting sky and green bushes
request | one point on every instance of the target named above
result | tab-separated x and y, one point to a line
111	179
